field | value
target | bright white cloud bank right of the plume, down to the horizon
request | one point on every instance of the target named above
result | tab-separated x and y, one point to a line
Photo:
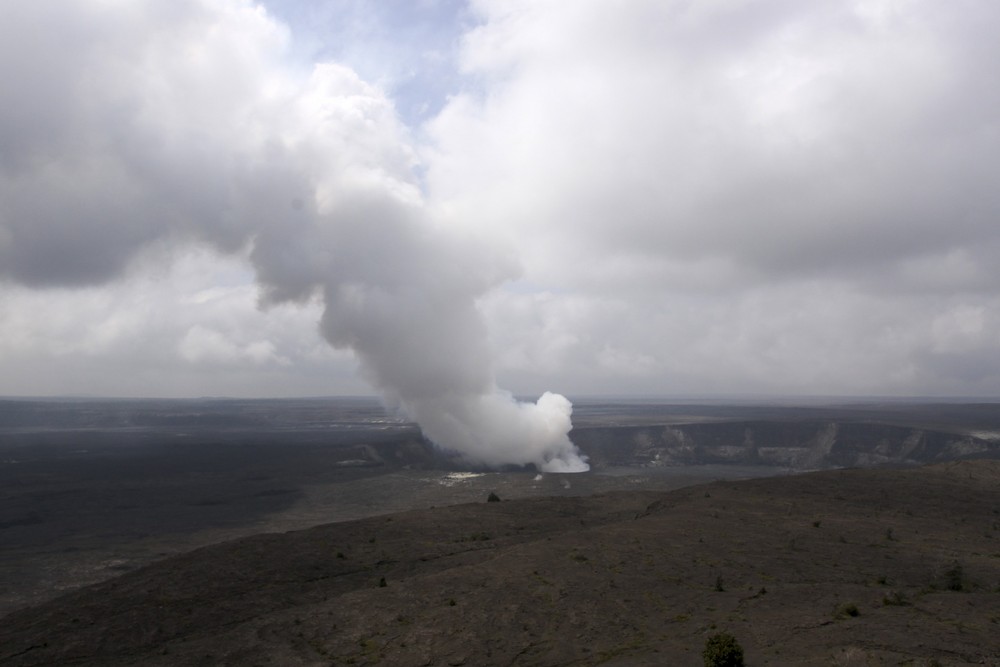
740	197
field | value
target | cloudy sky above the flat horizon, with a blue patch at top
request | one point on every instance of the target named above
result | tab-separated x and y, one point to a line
643	198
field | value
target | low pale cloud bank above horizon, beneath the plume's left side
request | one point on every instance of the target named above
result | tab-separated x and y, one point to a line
192	328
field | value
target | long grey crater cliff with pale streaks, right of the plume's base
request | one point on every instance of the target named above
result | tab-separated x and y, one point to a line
802	445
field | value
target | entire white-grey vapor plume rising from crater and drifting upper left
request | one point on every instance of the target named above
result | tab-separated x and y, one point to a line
130	129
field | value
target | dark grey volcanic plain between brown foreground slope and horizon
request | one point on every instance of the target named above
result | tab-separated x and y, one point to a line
94	489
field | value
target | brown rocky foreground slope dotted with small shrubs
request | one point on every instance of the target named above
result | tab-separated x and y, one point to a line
845	567
